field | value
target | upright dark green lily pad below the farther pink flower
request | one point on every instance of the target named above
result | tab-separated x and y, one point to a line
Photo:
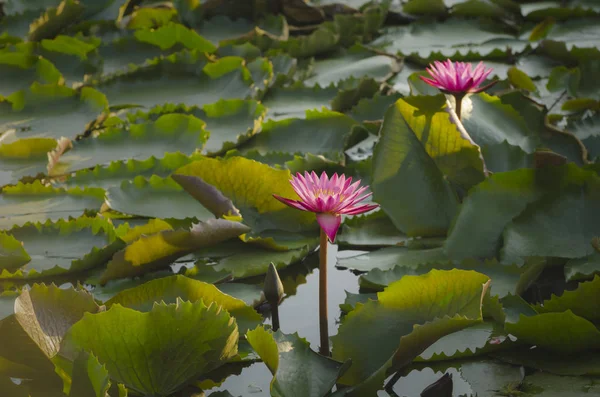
401	159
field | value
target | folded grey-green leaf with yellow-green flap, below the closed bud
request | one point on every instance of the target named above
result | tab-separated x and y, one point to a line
296	369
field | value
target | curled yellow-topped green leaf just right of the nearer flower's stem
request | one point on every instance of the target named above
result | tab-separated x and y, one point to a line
418	310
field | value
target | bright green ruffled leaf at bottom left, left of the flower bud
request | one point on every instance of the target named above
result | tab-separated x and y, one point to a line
147	355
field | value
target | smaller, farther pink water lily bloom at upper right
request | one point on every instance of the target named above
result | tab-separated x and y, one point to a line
458	77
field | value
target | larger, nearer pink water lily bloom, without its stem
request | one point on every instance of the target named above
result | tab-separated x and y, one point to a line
328	198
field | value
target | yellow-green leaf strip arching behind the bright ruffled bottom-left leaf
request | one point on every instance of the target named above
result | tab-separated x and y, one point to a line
169	289
